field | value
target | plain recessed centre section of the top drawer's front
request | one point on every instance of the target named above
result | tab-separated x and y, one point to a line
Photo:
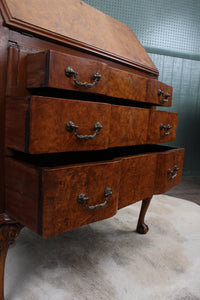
126	85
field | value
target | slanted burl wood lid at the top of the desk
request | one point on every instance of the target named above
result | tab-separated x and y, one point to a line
77	23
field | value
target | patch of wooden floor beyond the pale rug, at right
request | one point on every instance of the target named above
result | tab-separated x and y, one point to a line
189	189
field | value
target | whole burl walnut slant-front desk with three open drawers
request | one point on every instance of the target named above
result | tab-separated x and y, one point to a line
79	128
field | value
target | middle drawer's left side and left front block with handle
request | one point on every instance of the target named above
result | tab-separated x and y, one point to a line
44	125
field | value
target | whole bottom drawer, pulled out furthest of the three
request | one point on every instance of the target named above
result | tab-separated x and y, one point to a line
56	193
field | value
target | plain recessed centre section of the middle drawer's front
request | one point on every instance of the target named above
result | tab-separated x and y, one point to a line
128	126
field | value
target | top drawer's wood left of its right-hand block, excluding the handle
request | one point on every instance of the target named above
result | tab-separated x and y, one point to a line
47	69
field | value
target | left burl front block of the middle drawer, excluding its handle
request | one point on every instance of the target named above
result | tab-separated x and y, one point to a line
50	116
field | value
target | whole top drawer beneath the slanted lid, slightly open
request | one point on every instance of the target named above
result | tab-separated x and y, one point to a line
52	69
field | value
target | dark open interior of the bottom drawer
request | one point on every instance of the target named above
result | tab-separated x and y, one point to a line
59	159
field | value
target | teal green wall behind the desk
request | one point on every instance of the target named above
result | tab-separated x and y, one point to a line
170	32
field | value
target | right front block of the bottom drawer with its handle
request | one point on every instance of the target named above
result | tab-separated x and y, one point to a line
169	170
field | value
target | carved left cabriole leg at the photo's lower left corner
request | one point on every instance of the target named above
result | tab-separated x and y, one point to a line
9	230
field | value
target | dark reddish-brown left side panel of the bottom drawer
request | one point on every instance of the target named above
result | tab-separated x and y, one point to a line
22	192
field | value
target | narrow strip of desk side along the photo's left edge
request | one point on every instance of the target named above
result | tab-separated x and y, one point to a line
3	65
